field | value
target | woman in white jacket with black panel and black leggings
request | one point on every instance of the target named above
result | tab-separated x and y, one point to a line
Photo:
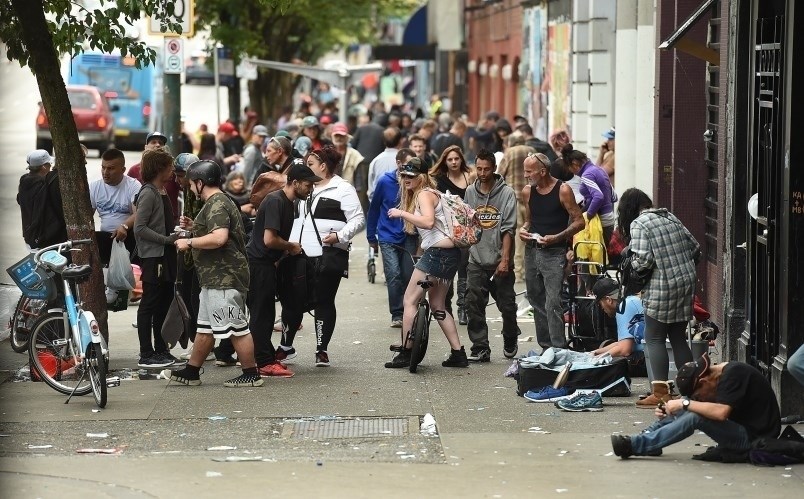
336	217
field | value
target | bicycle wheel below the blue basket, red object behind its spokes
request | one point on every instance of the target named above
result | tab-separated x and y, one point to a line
52	360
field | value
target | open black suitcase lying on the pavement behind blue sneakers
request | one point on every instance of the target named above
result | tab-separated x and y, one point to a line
613	379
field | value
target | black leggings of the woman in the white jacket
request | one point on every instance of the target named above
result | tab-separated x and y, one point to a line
325	313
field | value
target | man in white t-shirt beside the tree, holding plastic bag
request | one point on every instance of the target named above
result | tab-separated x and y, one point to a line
113	198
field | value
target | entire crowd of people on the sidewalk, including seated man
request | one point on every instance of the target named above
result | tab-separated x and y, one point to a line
227	221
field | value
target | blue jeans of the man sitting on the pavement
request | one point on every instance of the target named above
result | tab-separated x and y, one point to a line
675	428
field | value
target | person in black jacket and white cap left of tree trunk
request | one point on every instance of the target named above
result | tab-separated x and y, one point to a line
39	198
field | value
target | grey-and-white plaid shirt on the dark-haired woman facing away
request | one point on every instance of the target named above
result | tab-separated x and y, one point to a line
660	241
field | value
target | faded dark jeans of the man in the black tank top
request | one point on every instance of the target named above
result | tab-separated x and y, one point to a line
544	275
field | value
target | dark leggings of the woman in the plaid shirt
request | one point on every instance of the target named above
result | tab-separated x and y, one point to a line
655	334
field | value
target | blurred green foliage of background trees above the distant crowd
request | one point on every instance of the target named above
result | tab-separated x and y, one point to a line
292	31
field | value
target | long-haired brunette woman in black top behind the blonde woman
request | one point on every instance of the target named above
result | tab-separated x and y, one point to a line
452	174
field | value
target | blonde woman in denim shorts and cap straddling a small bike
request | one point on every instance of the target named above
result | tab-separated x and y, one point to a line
421	208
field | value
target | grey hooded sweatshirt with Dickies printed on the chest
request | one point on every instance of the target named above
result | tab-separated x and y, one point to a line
497	211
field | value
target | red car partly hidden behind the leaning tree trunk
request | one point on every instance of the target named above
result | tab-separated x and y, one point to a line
92	114
